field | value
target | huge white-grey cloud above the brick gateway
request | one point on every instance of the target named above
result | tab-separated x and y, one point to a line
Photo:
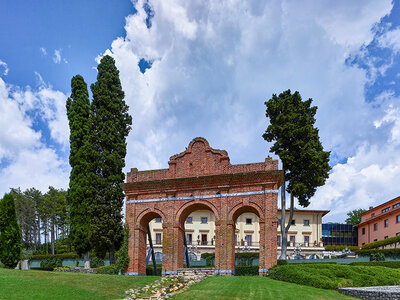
215	63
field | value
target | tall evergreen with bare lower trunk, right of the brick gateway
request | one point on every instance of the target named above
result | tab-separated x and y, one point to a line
305	164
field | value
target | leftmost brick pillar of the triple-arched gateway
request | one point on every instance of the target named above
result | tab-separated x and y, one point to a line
137	252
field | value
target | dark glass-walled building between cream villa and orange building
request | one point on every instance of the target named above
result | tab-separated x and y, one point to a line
339	234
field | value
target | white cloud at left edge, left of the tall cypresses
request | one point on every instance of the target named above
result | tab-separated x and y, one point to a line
26	157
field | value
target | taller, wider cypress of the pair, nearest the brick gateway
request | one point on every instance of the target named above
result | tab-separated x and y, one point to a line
109	128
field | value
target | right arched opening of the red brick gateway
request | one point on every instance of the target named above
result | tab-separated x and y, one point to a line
246	240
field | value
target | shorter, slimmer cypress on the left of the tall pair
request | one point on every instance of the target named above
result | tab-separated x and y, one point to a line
80	192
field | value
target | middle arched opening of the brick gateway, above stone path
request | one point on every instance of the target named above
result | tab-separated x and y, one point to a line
197	221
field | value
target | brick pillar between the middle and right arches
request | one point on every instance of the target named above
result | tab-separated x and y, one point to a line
225	247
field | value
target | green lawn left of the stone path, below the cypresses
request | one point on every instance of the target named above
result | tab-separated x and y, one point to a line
17	284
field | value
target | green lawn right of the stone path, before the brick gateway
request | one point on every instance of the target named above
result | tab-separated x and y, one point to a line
254	287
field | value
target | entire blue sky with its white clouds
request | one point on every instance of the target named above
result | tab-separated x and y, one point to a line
205	69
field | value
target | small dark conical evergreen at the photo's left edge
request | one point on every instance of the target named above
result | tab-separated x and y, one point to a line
10	233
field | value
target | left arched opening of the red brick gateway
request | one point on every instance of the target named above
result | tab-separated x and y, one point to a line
151	231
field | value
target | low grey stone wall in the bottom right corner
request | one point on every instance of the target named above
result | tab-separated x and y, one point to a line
373	292
